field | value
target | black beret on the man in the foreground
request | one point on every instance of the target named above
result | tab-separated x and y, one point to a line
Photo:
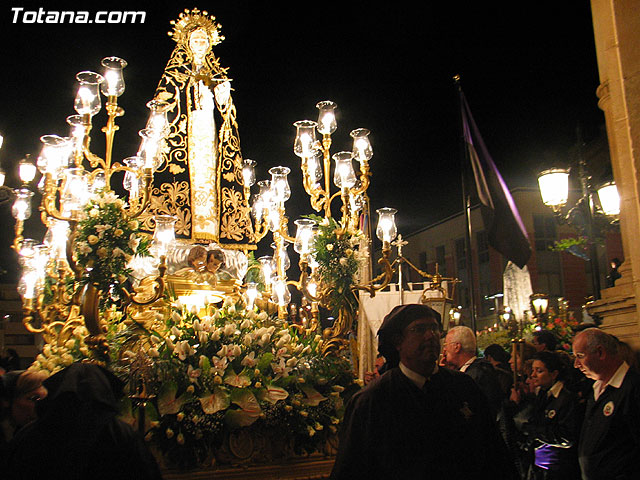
395	322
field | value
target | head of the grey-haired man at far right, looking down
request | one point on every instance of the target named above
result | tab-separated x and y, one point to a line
596	354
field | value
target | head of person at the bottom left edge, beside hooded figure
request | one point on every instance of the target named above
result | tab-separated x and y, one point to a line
22	392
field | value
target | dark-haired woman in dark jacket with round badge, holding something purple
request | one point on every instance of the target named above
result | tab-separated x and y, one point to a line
554	422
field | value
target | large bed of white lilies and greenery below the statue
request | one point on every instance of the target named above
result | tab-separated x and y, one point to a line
220	371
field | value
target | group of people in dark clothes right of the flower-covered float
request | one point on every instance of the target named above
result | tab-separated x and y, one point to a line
535	413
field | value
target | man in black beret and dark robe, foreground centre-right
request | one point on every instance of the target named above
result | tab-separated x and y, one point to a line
418	420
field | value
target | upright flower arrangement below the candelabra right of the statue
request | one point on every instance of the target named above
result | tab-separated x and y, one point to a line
337	252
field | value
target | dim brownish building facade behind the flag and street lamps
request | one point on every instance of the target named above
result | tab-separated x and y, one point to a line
558	274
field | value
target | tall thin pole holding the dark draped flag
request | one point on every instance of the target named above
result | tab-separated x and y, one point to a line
466	205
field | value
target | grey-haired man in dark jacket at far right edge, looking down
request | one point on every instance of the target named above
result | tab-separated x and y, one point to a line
609	445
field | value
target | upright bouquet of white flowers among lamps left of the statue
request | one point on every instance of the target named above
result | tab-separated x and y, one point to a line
106	241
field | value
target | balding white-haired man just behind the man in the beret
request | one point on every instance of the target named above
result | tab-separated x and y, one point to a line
460	354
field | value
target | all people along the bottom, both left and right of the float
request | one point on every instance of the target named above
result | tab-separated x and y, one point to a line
433	409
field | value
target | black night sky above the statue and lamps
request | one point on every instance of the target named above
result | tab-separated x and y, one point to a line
528	71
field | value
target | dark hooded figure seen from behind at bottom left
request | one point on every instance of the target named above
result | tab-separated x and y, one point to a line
78	435
